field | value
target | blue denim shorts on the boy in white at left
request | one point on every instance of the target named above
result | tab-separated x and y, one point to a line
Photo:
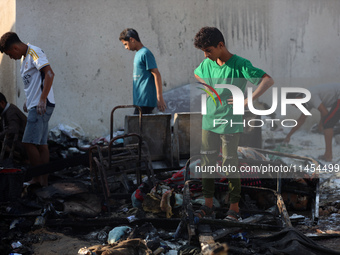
36	131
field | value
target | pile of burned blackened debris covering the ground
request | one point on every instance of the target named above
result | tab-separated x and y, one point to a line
115	200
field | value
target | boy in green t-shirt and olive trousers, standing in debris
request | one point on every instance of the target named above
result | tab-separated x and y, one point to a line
223	67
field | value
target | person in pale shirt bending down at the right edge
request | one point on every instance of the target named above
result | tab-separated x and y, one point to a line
325	98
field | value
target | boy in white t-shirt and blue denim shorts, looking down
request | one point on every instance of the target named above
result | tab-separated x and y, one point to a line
37	76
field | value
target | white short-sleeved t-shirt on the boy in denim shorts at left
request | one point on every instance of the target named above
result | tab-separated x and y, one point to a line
33	79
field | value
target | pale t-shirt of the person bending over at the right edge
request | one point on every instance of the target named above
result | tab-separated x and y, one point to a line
328	94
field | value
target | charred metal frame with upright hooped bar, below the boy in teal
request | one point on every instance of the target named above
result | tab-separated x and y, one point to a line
107	162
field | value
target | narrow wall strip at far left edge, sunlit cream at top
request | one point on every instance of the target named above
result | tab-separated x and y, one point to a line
7	66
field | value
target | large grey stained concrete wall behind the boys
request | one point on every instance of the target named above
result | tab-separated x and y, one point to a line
296	42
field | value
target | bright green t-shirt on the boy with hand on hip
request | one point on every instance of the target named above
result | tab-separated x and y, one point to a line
236	71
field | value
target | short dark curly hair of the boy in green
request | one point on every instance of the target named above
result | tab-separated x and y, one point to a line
208	36
